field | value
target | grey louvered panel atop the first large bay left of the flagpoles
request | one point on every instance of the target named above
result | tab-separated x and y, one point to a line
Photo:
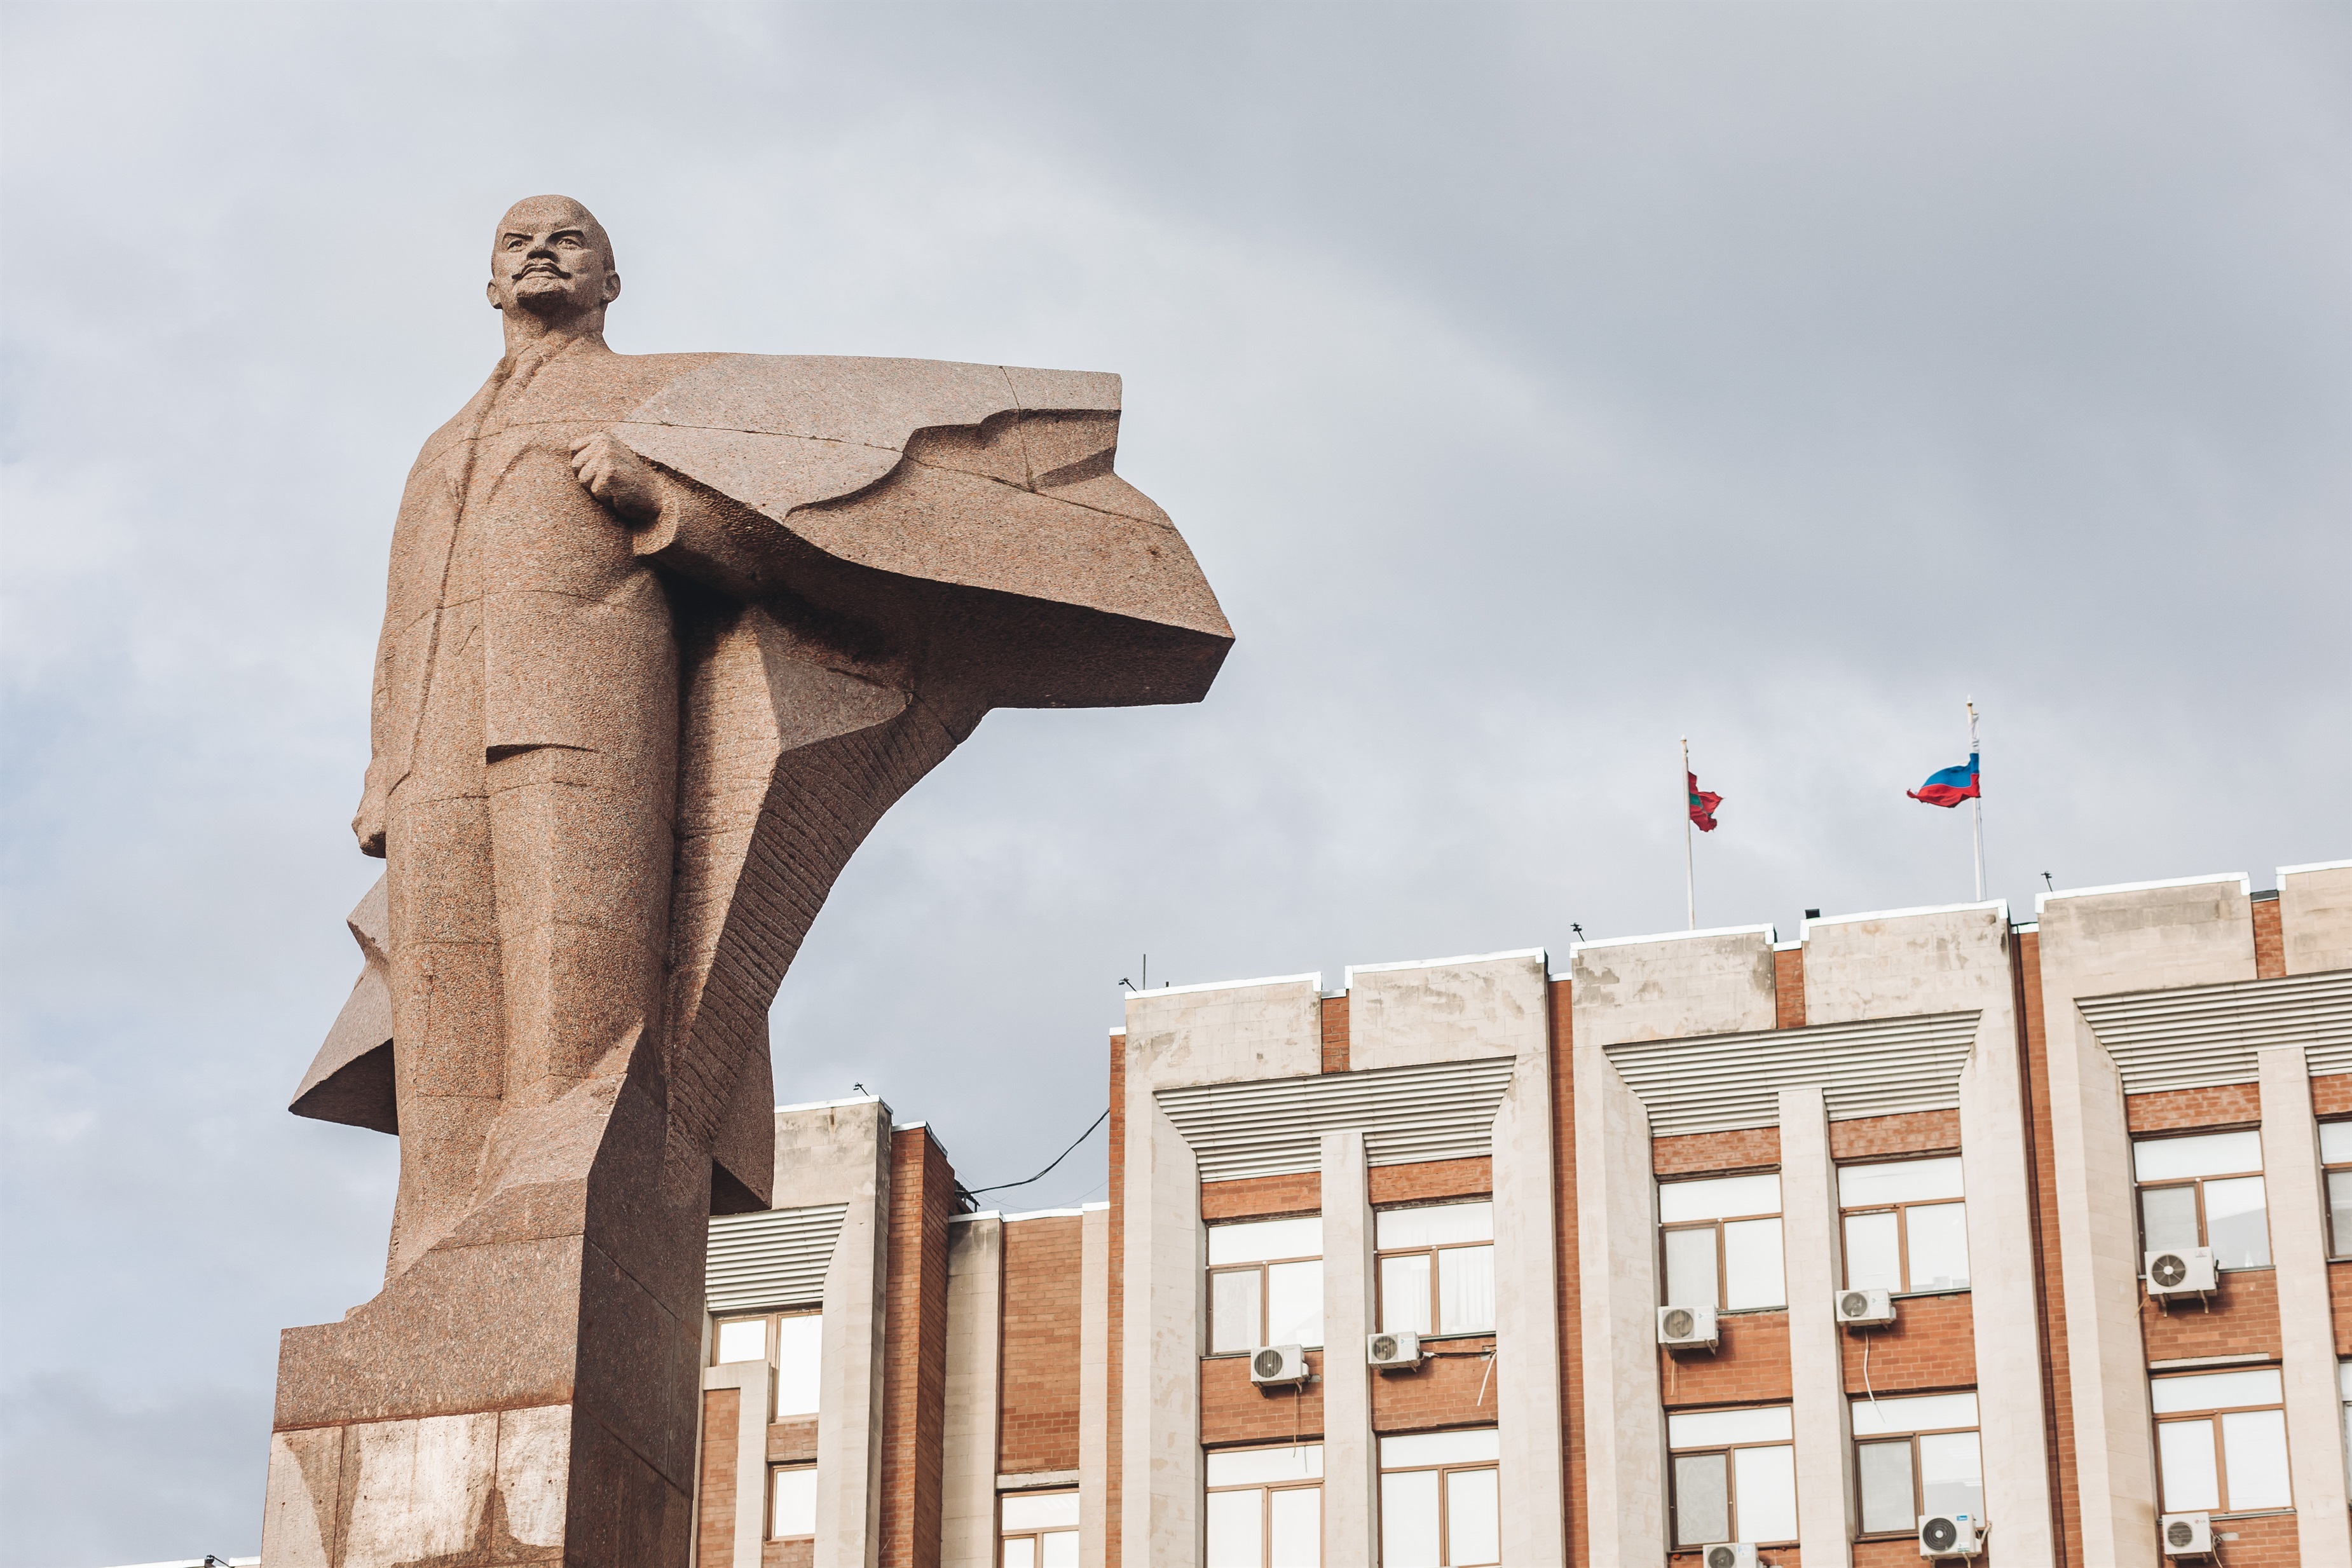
1276	1127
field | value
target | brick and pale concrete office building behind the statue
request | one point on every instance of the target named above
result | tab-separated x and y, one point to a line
1927	1235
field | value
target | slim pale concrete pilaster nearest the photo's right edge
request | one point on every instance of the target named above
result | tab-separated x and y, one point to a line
2299	1245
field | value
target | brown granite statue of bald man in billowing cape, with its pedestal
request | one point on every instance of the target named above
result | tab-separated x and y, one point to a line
664	638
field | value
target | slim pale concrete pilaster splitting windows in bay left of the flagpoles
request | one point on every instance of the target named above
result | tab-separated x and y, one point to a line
1351	1459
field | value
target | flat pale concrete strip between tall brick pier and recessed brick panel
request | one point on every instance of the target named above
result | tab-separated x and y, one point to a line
968	1506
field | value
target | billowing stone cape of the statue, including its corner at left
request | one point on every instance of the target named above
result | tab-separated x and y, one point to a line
883	535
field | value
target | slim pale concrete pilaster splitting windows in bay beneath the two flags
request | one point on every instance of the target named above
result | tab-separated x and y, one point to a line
1815	1367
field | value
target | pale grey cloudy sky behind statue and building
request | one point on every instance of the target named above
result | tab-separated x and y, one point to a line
1537	387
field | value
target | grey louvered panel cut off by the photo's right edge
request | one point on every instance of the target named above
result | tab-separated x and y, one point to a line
2205	1036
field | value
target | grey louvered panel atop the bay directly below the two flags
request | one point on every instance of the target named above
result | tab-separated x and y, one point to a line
1873	1068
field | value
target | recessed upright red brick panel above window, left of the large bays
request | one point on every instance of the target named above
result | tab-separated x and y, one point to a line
1038	1391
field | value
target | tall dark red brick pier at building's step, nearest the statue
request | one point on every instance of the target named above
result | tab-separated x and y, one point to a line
916	1351
